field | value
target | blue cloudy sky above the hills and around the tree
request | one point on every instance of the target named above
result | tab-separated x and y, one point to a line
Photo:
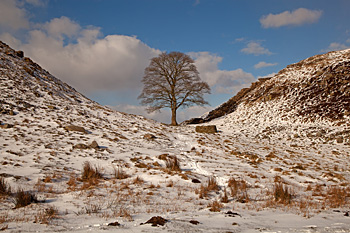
101	47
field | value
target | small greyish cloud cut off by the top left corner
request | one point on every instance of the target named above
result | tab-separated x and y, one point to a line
12	17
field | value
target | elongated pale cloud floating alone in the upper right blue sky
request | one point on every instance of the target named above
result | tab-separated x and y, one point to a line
297	17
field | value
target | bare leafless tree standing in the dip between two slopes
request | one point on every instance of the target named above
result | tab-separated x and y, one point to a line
172	81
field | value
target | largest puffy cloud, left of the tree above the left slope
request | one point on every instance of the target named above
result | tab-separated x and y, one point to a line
87	62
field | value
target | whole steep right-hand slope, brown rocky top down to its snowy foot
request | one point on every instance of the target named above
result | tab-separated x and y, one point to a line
314	92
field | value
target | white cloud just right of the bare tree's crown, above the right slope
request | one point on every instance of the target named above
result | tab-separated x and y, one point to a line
223	81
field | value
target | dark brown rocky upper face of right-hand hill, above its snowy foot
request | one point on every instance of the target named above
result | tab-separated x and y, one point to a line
317	88
